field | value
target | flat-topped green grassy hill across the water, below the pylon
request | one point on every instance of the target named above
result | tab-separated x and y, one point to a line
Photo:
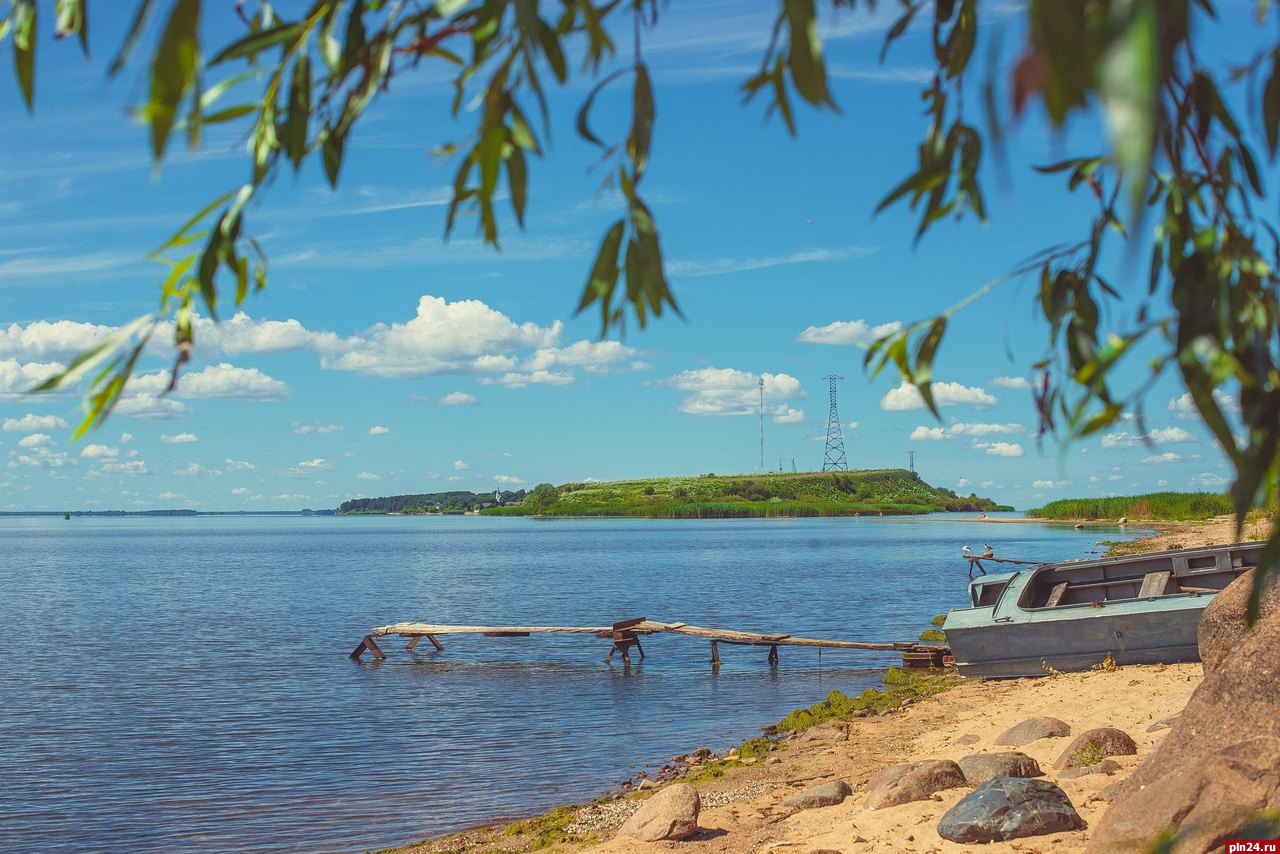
833	494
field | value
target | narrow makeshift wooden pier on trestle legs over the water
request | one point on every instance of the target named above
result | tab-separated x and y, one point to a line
627	634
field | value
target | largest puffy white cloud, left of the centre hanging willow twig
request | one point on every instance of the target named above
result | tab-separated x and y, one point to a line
464	337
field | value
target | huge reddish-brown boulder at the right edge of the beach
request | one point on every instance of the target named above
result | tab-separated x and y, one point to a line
1231	715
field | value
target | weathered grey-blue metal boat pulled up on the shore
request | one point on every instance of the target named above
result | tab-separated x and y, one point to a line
1140	609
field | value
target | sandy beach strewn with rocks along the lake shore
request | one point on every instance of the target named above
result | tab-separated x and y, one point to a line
743	810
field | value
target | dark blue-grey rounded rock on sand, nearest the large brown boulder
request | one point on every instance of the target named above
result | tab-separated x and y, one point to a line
1005	809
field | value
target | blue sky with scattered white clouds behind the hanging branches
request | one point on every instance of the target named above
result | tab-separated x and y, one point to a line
383	359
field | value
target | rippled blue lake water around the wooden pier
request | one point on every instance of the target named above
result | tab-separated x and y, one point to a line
181	684
